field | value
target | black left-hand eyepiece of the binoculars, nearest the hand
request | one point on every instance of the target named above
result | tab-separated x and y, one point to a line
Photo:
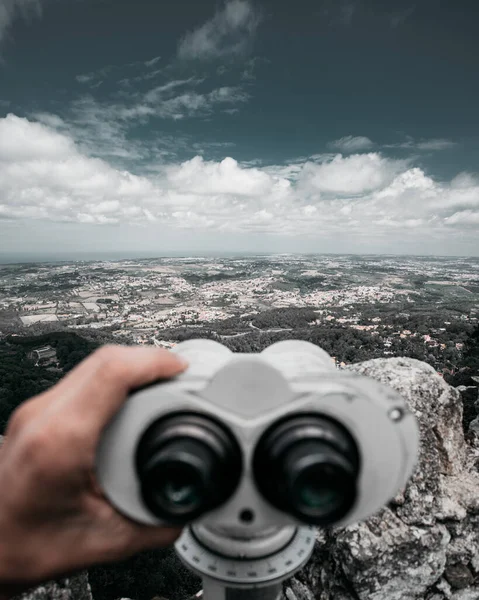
187	464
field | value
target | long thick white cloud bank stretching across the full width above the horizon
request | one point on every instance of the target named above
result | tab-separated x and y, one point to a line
45	175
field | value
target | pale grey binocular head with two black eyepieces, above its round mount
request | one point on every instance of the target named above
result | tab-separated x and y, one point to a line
248	442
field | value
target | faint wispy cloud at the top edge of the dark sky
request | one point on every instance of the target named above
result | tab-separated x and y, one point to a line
228	33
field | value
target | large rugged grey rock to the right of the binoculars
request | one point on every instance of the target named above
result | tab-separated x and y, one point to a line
424	545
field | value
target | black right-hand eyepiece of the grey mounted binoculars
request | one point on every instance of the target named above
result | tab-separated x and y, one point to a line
308	466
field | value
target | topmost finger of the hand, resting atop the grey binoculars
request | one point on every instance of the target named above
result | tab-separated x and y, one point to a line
96	389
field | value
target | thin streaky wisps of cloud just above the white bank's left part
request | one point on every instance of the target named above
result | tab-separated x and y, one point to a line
103	128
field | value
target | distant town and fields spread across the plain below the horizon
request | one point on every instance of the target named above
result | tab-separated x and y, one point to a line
148	301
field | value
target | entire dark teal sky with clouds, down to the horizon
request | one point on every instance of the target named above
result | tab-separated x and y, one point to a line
329	126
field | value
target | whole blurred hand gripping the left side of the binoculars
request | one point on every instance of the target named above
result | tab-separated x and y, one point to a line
54	518
